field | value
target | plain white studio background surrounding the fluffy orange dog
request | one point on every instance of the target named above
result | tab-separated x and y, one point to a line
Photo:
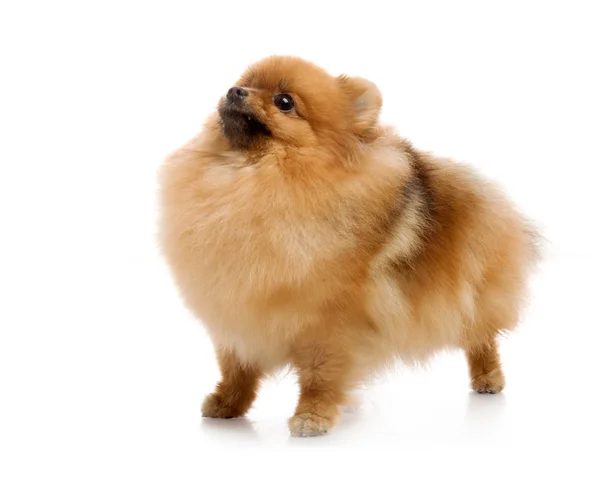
102	370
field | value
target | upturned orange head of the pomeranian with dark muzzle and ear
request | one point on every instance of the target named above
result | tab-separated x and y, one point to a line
290	101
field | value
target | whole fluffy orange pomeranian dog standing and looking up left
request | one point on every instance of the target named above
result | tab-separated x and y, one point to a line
303	232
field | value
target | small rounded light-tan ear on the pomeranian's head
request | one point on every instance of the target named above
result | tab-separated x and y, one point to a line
365	103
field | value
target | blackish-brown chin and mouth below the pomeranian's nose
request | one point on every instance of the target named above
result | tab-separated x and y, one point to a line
241	128
